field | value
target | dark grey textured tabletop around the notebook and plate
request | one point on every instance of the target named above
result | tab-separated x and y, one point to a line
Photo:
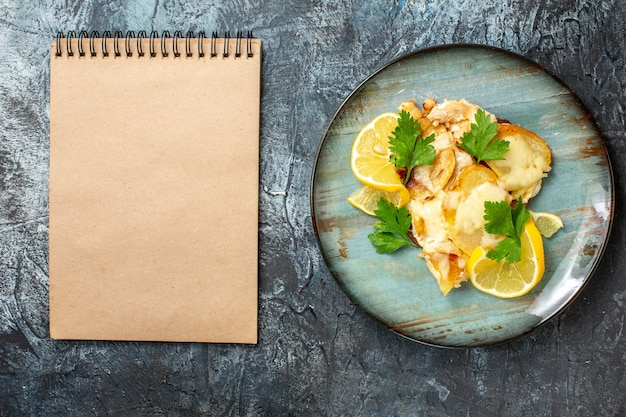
317	355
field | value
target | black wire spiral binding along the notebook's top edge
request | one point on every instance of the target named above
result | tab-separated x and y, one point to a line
166	42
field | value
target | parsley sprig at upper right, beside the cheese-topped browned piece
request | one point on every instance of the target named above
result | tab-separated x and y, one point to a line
481	142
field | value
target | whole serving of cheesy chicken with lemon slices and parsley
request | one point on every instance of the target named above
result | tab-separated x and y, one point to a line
457	181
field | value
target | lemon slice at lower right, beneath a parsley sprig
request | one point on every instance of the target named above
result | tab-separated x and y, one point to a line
506	280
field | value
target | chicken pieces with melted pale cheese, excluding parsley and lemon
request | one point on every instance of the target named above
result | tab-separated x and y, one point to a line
447	197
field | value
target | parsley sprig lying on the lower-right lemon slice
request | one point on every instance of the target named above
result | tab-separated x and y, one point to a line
503	219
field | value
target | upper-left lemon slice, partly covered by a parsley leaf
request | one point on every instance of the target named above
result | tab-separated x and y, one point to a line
370	157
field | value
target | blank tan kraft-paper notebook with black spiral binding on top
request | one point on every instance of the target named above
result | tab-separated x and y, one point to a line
154	143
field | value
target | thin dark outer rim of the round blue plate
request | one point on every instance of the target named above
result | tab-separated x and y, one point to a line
444	47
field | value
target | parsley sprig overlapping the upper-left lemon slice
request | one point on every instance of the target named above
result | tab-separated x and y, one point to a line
408	148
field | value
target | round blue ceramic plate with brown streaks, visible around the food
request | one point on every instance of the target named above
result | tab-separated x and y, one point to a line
397	289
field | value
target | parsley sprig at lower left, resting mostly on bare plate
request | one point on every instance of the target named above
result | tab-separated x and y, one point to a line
391	232
